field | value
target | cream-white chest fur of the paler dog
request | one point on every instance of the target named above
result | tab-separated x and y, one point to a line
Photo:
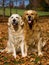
16	36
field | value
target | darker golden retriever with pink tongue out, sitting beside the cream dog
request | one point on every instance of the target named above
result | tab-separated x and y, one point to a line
31	32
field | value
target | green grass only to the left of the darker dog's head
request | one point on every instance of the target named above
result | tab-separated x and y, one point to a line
13	10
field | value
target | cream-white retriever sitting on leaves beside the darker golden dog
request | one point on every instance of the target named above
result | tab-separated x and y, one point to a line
16	35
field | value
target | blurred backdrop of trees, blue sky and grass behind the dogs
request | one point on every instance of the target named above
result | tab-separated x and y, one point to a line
7	7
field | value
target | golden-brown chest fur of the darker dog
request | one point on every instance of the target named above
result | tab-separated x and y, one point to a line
30	34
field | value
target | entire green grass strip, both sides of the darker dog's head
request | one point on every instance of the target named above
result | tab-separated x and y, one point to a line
20	12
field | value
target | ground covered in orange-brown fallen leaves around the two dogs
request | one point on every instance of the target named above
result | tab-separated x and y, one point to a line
32	58
